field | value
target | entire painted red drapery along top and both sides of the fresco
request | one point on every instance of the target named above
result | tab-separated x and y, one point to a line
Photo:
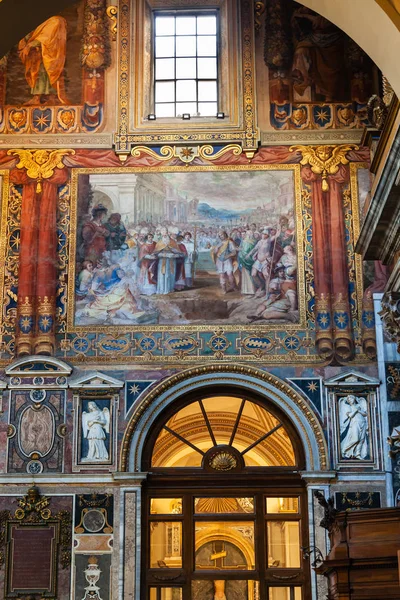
38	255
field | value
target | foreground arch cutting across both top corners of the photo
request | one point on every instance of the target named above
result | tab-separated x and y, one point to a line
373	24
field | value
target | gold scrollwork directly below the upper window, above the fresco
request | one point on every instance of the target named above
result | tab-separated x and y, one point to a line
187	154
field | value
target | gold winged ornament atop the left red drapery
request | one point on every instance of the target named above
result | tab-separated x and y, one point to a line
40	164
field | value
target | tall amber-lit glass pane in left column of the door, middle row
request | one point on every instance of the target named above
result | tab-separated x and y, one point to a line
165	545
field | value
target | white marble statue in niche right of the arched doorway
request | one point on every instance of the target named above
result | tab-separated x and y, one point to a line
353	415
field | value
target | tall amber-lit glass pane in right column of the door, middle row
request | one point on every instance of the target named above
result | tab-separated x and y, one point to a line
283	544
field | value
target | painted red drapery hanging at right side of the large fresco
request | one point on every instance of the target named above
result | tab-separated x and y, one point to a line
332	306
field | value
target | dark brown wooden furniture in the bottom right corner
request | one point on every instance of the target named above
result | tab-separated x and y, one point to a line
363	563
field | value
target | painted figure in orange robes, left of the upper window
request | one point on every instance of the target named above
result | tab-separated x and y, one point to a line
43	53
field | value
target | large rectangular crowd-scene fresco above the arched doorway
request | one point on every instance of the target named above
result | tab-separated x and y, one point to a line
184	248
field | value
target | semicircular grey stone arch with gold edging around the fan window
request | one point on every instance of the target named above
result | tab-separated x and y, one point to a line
263	387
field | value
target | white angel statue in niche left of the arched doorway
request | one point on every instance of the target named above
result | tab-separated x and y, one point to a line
94	425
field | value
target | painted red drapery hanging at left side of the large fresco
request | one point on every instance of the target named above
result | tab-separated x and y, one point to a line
37	285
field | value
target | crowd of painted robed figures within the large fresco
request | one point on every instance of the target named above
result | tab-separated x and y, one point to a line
122	266
